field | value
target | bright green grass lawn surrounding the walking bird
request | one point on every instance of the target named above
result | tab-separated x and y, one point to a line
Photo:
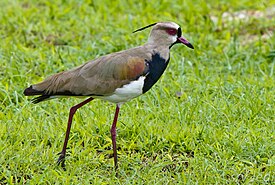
209	120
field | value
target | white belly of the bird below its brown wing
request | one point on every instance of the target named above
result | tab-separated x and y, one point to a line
126	92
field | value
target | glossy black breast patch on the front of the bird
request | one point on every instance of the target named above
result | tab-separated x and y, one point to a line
156	68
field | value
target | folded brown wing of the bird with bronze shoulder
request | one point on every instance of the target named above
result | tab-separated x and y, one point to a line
99	77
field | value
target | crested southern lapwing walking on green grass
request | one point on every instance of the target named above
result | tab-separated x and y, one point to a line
117	77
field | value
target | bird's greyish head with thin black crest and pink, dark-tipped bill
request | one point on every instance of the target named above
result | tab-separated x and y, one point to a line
166	33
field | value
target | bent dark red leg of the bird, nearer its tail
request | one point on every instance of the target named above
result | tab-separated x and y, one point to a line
61	159
